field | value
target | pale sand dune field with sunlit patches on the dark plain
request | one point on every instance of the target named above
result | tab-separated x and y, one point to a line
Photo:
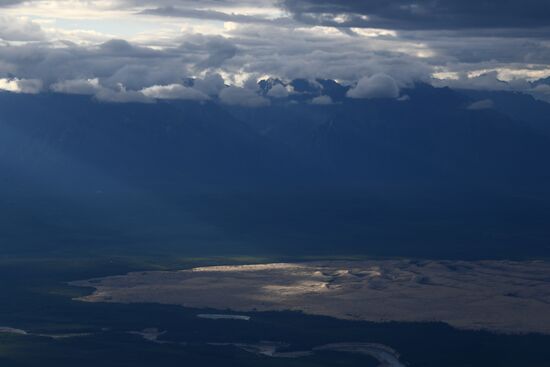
504	296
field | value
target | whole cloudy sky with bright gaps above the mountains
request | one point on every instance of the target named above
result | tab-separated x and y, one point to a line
134	50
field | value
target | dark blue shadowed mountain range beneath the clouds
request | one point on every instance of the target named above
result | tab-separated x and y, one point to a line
350	170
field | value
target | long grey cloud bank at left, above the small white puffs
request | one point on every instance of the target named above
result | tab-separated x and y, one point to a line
115	62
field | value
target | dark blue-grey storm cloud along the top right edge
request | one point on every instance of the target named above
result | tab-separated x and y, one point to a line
422	14
